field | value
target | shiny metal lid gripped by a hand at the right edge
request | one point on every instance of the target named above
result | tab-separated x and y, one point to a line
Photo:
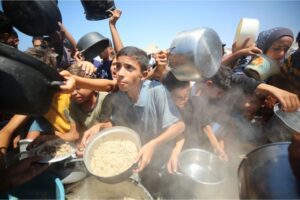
290	119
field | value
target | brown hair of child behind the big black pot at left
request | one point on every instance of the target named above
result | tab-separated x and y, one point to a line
44	55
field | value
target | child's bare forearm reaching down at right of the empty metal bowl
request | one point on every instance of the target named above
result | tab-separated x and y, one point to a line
219	148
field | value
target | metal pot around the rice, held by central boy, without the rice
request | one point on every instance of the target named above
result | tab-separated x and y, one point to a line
116	132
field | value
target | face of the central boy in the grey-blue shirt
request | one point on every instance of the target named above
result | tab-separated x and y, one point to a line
128	73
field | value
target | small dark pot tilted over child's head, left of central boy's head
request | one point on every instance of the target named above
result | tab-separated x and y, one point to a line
92	44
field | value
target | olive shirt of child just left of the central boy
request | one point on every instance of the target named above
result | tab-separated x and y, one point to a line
85	120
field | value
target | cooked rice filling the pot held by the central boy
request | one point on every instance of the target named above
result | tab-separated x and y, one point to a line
113	157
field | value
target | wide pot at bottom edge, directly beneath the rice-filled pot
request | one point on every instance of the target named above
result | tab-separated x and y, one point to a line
92	188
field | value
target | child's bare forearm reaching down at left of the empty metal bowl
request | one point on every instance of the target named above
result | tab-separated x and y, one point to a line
172	163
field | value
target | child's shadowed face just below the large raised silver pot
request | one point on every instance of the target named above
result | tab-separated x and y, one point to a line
181	96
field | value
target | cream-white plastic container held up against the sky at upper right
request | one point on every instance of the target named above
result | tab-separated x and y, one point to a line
246	28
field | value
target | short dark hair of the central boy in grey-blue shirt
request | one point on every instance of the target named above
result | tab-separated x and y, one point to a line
139	55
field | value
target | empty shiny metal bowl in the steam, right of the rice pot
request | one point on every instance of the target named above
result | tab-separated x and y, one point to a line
202	166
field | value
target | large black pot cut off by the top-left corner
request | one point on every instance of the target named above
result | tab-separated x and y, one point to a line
33	17
